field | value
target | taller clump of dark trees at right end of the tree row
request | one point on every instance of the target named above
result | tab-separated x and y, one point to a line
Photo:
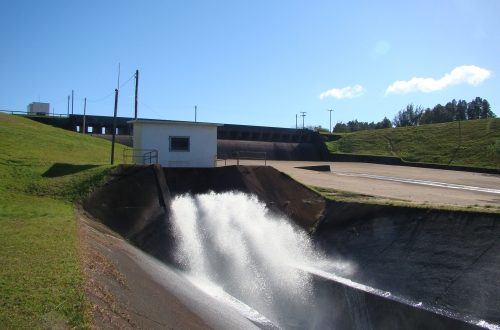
478	108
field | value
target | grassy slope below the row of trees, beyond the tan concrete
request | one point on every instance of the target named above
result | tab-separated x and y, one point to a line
470	143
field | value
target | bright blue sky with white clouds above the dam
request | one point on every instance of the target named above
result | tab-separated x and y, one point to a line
250	62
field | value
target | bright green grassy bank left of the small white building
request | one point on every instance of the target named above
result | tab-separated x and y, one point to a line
43	171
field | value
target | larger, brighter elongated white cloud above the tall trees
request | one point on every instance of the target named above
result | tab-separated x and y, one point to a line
466	74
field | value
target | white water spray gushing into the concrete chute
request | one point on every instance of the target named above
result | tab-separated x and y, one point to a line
232	241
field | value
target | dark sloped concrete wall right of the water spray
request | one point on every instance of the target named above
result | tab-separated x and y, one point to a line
440	260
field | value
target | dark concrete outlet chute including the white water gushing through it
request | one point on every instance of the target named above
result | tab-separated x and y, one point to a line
255	243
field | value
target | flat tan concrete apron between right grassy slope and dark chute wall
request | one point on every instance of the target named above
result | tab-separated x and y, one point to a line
413	184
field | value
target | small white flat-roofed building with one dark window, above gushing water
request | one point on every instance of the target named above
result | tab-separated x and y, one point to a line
179	143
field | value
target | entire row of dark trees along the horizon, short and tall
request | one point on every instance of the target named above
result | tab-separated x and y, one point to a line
478	108
